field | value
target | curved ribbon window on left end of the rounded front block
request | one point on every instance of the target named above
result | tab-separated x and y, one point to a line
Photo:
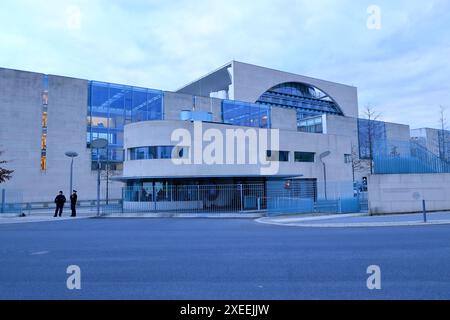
158	152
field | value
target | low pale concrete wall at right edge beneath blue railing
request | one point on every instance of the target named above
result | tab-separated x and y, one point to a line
393	193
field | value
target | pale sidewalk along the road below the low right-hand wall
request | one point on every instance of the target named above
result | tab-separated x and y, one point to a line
359	220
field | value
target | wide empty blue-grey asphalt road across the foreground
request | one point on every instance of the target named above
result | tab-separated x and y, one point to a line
220	259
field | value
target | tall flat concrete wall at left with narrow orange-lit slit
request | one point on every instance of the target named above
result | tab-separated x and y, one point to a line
21	130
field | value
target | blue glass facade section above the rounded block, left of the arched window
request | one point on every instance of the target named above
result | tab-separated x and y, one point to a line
246	114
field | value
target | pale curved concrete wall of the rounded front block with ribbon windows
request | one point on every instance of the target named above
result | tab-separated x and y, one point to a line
140	135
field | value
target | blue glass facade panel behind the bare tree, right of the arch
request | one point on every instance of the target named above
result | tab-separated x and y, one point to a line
372	138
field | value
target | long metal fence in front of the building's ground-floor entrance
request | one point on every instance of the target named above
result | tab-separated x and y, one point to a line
272	198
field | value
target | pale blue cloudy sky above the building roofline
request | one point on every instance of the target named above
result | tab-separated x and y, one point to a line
398	55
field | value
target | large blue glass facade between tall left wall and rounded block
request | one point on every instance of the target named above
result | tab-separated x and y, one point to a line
110	108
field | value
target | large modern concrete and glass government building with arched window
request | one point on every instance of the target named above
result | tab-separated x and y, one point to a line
319	136
